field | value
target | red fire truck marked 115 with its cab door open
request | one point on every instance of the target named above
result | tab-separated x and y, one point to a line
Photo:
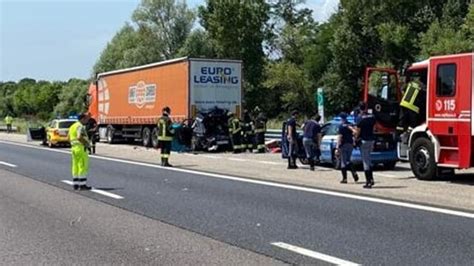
444	141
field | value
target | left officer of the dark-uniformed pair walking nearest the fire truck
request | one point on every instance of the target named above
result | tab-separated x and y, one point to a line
345	145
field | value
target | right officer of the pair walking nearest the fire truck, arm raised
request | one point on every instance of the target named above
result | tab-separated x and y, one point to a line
365	132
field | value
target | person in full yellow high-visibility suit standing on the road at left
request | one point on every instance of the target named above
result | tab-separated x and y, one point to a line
79	147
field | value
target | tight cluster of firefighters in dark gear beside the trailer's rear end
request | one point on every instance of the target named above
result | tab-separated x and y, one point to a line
249	133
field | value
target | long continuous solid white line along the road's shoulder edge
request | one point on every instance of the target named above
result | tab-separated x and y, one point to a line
279	185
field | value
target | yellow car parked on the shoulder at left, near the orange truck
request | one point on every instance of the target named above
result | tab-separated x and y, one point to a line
57	132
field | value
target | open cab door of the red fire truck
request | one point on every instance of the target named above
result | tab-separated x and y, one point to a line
382	94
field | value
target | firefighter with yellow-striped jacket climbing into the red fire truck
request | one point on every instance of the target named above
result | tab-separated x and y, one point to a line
411	107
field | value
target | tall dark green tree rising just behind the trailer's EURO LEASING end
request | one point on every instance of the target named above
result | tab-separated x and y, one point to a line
238	30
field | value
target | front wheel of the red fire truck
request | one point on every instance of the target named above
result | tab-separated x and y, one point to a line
422	159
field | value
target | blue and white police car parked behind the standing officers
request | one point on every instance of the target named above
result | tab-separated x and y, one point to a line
384	152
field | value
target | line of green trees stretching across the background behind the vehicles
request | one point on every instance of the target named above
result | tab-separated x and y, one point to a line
285	52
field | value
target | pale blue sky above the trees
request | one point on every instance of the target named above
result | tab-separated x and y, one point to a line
62	39
